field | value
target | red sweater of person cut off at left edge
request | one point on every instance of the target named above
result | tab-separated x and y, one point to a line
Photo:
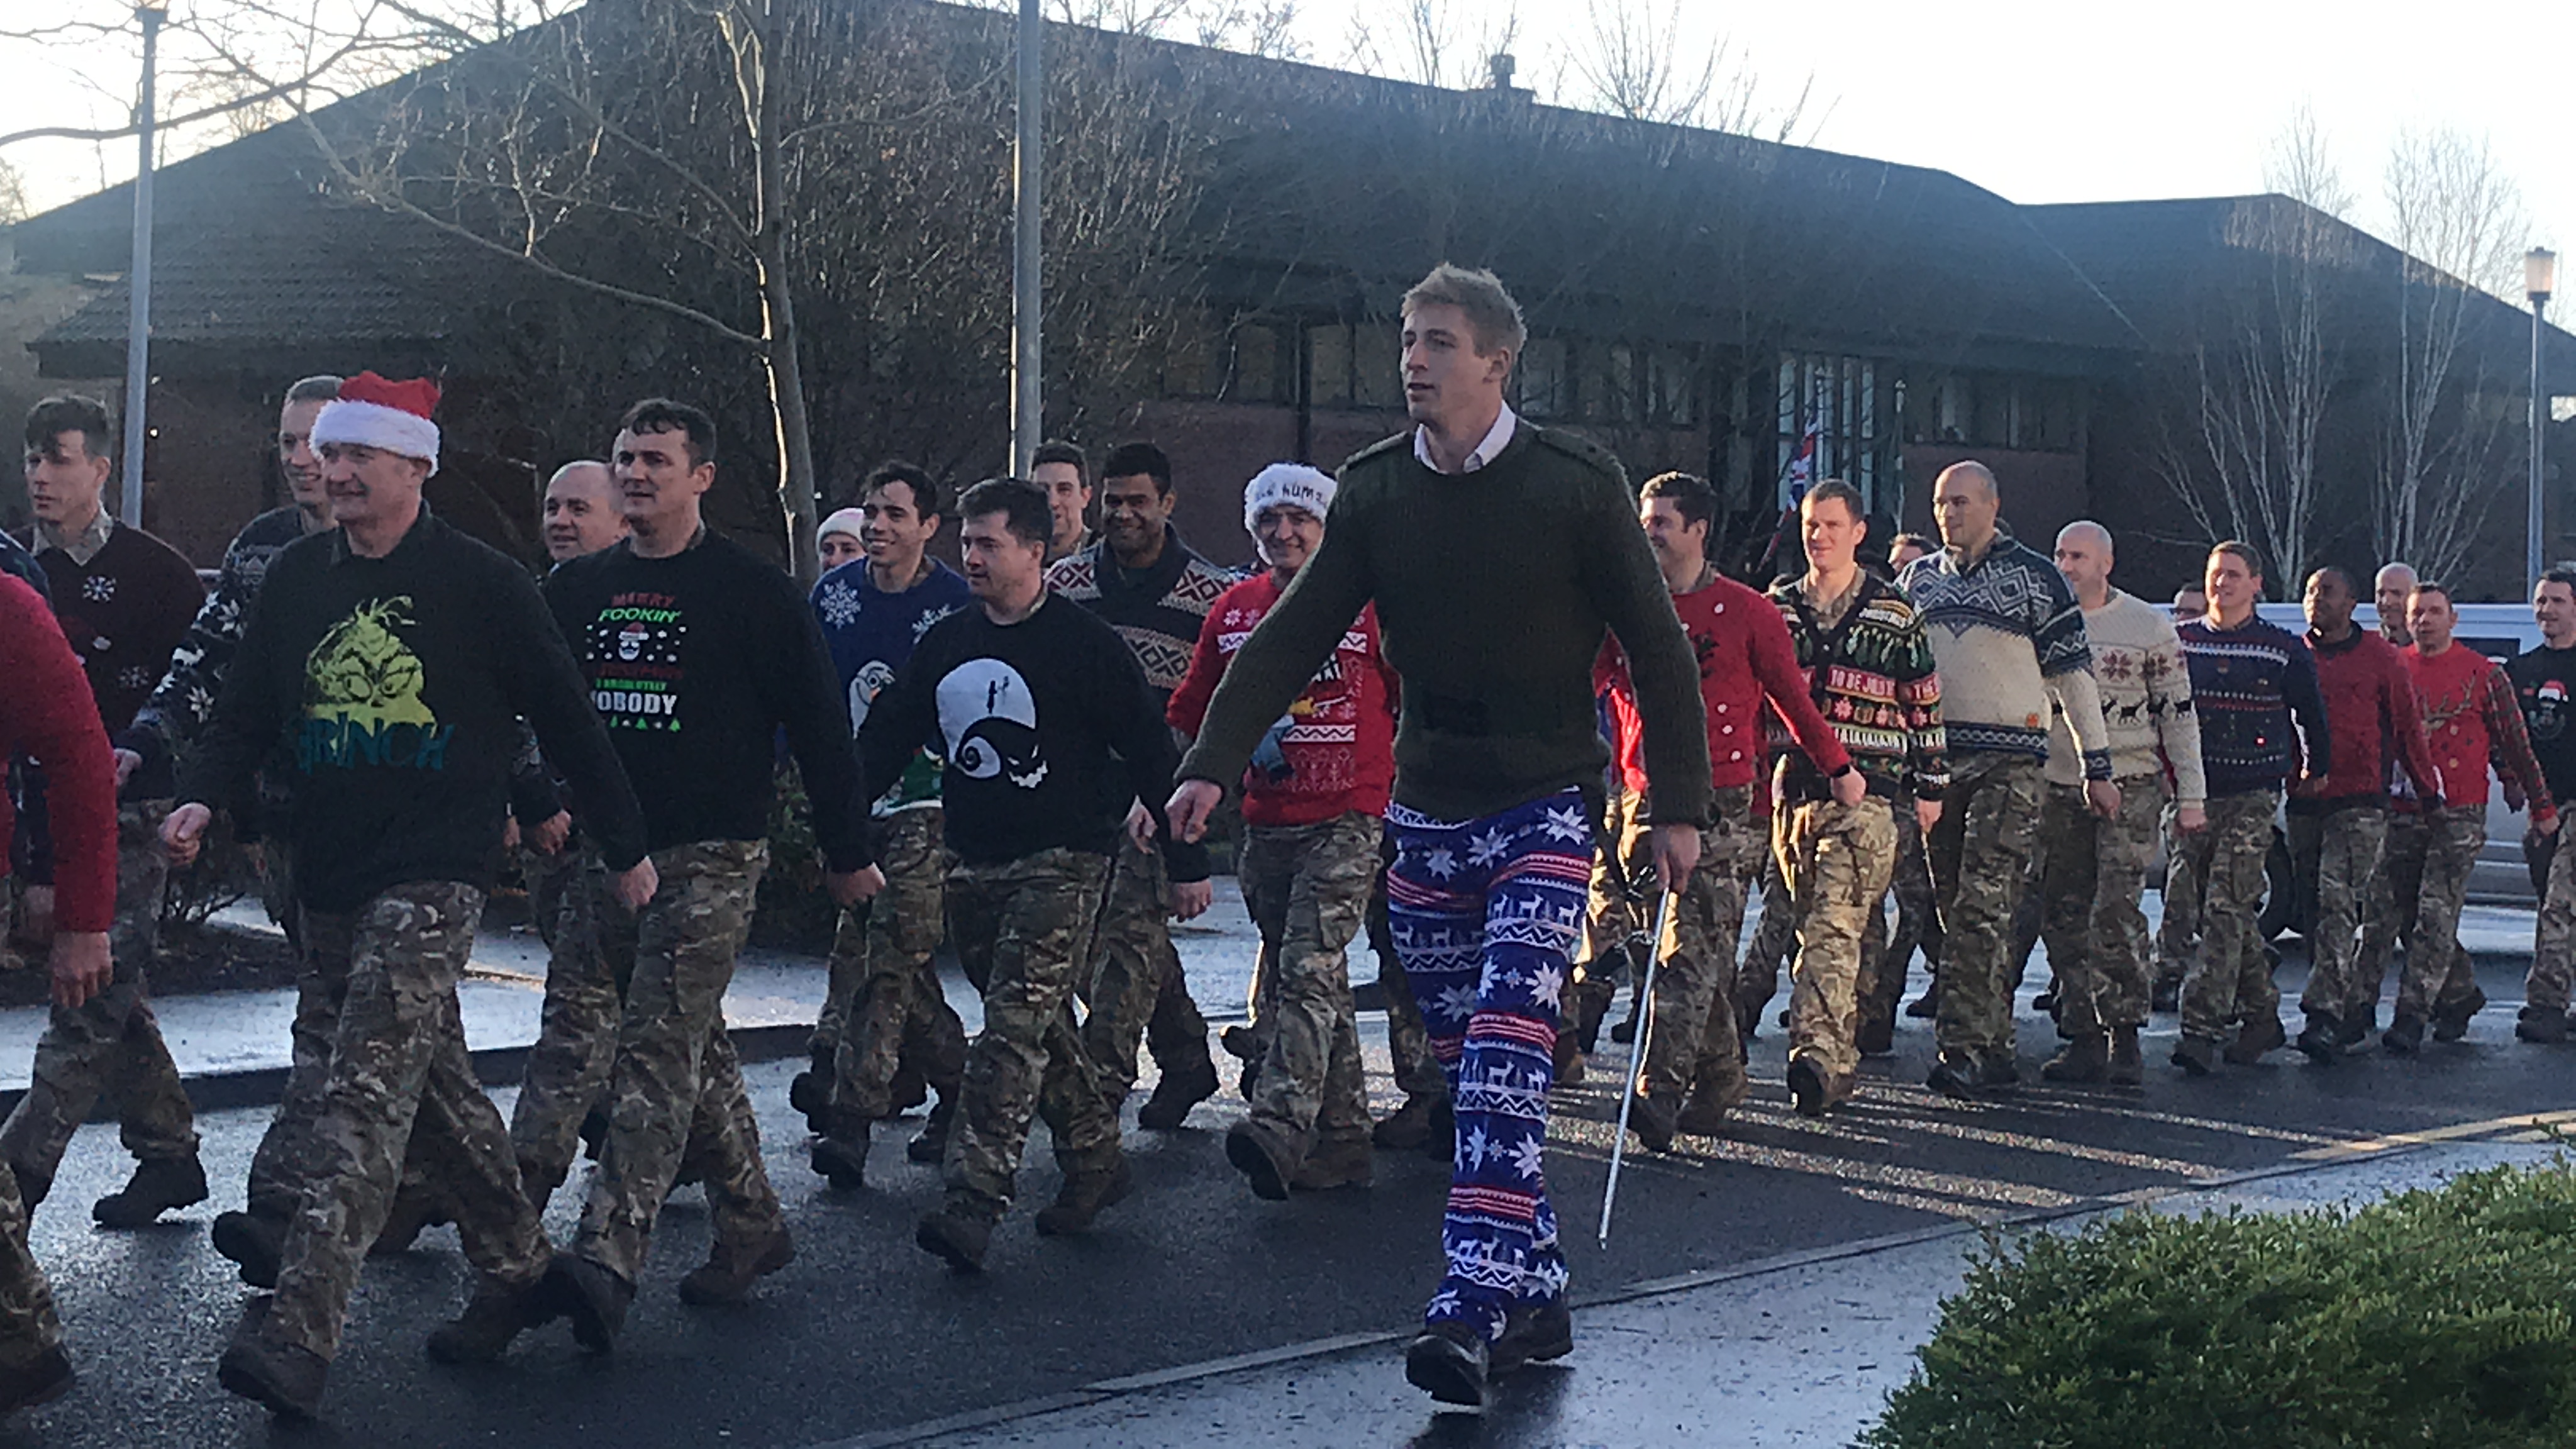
48	715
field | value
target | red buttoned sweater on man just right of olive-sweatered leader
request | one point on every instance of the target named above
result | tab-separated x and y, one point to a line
1745	659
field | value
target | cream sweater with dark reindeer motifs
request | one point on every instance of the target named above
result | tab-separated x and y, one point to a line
2147	700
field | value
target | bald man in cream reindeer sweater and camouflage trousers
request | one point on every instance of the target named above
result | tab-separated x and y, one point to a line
2096	868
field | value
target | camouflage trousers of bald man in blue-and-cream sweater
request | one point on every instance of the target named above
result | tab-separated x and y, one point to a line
1980	868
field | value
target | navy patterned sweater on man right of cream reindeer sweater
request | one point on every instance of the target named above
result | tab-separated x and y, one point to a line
2260	713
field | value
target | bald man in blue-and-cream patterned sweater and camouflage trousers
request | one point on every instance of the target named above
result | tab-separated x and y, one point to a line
2011	648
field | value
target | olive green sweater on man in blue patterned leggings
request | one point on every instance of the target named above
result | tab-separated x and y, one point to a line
1493	599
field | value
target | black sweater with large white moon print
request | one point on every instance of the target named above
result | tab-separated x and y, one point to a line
1050	736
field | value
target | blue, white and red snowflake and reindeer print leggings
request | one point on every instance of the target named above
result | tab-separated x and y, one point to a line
1485	917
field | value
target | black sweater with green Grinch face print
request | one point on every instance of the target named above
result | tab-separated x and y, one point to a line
395	690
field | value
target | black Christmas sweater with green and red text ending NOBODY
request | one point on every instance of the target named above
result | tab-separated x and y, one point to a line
694	664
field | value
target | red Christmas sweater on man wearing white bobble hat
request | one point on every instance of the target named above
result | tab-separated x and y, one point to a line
1341	739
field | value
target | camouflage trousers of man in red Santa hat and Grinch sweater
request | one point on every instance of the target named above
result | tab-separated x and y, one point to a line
401	1082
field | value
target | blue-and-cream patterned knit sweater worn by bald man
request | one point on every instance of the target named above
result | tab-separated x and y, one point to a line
2011	648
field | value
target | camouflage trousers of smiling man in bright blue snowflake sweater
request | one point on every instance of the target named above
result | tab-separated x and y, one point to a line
885	1007
